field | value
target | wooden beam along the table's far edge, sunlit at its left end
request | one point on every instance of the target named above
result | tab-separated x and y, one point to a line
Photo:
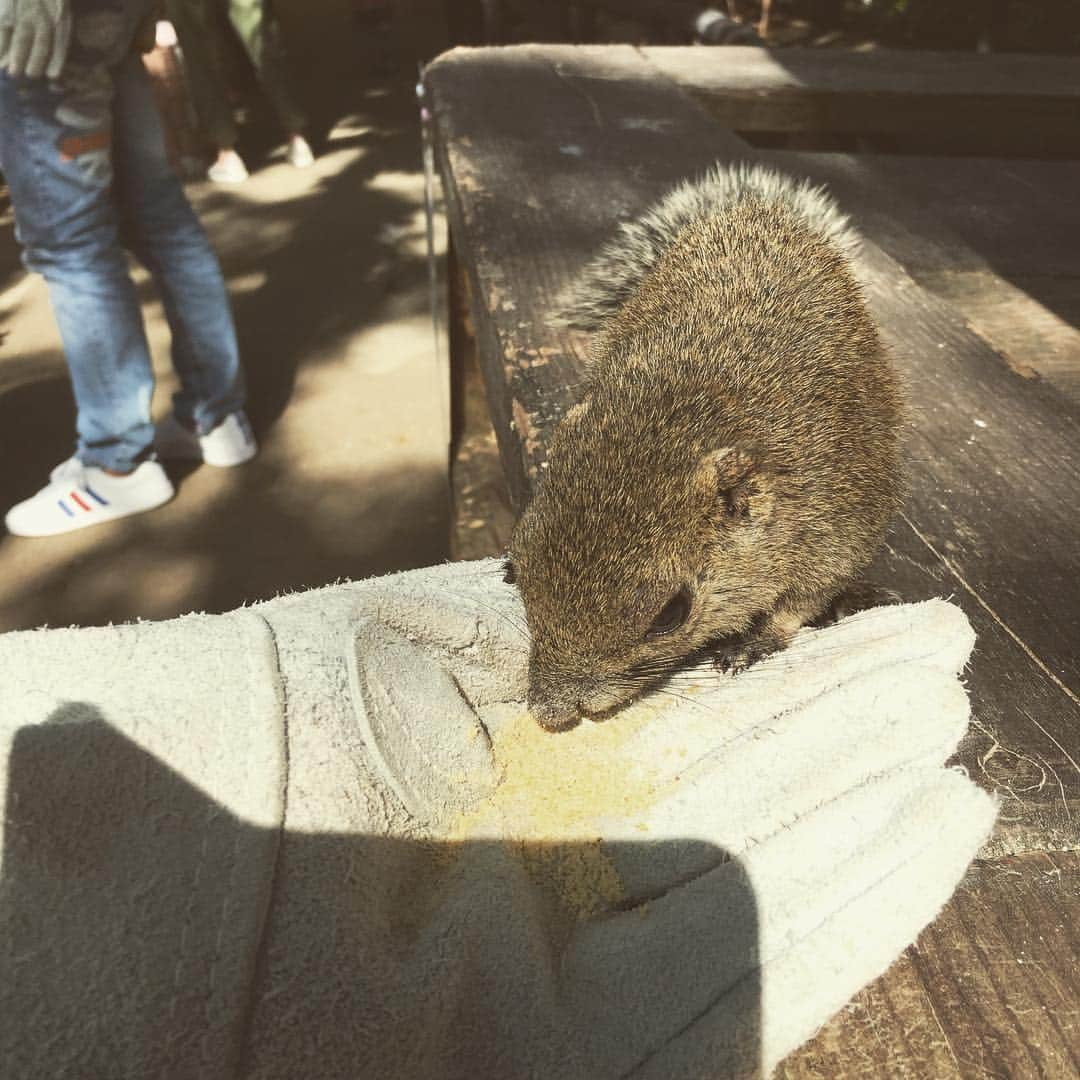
1009	99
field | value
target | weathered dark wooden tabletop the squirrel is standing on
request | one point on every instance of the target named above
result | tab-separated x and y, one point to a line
544	151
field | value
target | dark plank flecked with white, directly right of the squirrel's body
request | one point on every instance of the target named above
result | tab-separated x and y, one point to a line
988	447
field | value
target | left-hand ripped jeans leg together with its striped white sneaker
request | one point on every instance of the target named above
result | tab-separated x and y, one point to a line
57	155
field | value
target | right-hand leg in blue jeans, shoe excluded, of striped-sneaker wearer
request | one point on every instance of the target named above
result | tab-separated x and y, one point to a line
163	231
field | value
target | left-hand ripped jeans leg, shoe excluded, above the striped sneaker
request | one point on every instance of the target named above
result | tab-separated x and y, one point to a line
56	153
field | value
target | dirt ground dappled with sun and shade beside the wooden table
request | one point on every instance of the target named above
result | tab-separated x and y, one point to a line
329	277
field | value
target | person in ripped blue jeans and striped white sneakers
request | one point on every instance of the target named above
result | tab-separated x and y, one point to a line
83	150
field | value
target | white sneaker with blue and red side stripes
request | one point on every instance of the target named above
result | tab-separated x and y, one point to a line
78	496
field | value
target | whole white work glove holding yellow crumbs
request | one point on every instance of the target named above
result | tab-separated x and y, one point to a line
340	838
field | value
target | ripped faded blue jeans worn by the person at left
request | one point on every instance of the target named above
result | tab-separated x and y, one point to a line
85	159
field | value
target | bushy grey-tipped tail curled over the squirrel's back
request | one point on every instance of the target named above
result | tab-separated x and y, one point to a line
613	278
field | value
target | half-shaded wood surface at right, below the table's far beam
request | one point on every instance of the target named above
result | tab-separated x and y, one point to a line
996	239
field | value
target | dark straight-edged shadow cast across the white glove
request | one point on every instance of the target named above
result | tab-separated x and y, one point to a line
151	931
